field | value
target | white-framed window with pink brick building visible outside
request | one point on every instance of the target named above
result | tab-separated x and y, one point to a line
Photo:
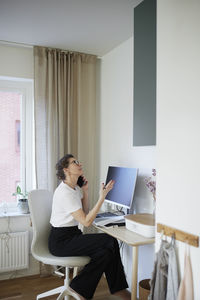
16	135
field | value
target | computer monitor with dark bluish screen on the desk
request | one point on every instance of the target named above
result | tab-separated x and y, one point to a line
124	187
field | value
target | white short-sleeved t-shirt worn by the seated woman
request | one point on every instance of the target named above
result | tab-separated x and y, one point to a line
65	201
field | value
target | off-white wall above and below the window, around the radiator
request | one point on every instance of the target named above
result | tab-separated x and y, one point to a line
17	62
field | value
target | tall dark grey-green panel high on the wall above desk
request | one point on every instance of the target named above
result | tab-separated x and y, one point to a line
144	127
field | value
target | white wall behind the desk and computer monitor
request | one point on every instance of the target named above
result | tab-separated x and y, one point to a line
116	137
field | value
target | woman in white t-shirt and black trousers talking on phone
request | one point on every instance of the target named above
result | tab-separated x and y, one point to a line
70	207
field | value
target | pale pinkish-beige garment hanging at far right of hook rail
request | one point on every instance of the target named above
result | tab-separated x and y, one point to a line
186	287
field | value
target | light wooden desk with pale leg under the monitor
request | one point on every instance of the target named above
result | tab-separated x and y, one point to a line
134	240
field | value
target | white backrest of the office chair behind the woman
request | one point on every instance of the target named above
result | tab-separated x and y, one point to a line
40	205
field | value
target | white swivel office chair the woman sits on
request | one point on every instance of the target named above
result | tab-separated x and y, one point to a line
40	204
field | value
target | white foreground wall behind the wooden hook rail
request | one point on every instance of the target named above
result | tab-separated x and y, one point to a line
178	121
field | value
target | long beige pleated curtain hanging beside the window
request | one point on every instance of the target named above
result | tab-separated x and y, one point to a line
65	112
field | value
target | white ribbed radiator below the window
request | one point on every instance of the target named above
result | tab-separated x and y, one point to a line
14	251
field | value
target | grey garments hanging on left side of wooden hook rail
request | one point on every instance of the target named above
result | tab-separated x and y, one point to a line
164	282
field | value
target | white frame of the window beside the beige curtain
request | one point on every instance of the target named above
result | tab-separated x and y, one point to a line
27	161
